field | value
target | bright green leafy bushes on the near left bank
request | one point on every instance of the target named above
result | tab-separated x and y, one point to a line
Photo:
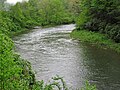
15	73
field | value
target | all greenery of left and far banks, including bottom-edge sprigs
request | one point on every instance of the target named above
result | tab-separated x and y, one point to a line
16	73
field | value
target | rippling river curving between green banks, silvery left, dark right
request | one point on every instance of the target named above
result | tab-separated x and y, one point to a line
52	52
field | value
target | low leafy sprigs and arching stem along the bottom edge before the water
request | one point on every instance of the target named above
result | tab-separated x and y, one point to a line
58	83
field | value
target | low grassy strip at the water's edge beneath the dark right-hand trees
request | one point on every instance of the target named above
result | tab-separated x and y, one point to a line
95	38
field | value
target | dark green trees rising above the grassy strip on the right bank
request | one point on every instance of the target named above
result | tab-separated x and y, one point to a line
100	16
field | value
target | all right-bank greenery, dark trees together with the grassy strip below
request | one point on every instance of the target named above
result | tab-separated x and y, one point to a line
99	22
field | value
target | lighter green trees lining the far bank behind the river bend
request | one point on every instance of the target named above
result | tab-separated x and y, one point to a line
32	13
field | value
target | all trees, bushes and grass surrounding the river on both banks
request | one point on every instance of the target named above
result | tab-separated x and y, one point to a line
90	16
